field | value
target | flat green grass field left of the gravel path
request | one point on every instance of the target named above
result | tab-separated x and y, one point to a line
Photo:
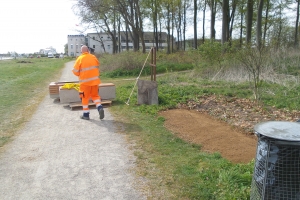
24	82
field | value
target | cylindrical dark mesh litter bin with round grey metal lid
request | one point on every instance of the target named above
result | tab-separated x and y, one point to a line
277	166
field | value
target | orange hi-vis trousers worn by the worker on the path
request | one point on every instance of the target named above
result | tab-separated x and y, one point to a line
86	93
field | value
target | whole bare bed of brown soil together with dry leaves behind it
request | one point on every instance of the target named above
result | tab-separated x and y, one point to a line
223	125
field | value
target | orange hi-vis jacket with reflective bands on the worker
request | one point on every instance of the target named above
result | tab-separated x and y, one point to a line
87	69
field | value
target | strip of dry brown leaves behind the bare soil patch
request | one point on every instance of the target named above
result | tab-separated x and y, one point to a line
240	113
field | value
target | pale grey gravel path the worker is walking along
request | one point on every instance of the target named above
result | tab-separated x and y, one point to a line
60	156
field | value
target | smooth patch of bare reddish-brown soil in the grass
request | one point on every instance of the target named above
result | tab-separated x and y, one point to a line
213	135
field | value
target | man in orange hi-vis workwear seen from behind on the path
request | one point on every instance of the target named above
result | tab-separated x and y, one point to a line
86	68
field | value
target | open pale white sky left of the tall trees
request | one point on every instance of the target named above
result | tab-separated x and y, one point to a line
26	26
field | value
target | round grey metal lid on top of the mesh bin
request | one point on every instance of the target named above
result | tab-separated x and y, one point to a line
281	130
